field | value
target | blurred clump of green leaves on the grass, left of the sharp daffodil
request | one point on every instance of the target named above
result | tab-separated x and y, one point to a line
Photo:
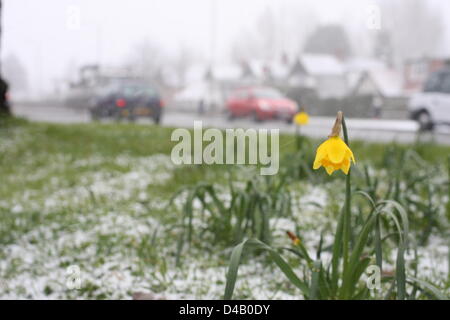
228	221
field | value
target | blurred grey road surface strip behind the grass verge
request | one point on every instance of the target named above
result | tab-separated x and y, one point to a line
380	130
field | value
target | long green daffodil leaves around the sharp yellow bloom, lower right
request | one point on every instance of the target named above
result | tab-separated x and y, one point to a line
358	242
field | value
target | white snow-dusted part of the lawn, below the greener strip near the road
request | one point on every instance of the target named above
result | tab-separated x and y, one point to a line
107	216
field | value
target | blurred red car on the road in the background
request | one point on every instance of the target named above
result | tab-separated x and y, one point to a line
261	103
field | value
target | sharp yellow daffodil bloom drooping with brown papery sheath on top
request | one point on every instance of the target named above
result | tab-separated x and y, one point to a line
334	154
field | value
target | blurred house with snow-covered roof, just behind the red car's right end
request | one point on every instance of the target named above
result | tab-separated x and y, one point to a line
321	72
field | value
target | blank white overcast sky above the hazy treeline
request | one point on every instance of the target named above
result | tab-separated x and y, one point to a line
37	32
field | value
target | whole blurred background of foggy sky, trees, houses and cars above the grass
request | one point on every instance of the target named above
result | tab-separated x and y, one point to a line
67	61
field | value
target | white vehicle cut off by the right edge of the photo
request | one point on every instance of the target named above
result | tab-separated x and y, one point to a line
432	105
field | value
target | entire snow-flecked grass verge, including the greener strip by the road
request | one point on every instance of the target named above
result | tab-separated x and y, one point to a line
99	196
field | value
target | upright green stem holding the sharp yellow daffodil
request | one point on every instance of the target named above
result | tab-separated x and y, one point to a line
347	205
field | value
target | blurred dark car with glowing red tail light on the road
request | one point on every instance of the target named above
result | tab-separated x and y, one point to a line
126	100
